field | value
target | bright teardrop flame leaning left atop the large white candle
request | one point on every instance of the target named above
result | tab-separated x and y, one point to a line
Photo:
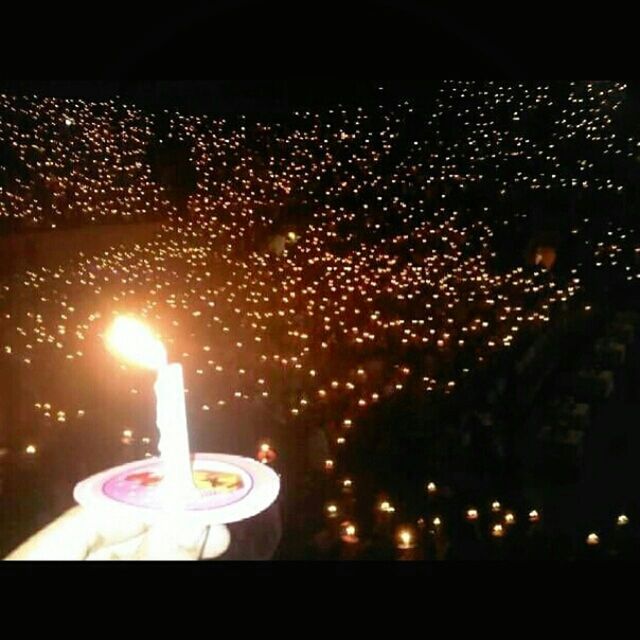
133	341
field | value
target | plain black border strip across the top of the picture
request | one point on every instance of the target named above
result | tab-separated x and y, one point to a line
350	39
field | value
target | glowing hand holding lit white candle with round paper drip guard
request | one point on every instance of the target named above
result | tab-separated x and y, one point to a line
173	507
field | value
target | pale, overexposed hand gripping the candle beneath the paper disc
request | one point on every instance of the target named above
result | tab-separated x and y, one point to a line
77	536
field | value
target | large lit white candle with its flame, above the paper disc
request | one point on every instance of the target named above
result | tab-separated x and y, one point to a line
134	342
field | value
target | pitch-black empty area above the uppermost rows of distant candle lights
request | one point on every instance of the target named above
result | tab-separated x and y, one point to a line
338	52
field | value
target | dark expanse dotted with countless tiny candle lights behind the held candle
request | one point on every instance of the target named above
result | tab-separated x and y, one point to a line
422	314
